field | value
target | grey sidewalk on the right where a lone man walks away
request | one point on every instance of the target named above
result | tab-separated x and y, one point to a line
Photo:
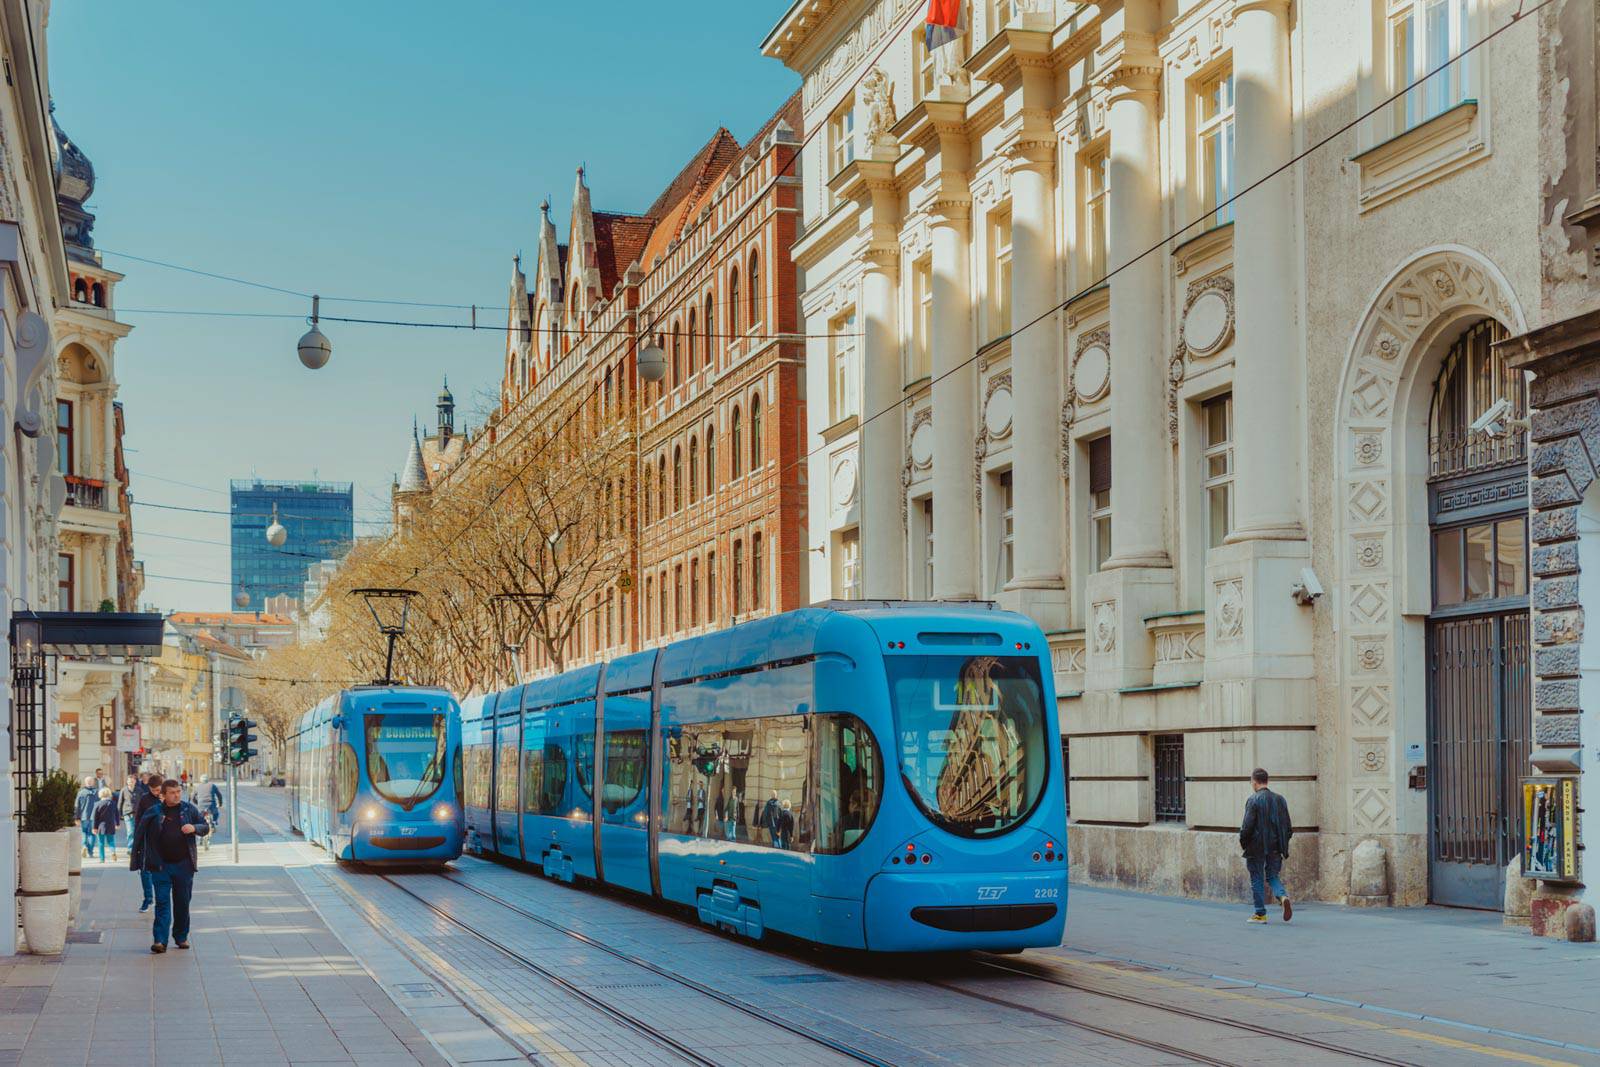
1436	962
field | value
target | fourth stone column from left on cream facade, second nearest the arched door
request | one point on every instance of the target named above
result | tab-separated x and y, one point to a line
1138	391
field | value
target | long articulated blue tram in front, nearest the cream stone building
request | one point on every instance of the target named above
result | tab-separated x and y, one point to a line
863	775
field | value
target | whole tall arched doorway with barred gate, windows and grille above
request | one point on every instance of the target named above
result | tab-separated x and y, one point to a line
1479	708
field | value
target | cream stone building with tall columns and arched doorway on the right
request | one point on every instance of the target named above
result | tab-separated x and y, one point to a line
1177	324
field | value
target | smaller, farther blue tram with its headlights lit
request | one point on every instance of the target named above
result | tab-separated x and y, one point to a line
375	777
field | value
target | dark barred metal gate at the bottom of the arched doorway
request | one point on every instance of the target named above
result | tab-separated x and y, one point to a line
1479	737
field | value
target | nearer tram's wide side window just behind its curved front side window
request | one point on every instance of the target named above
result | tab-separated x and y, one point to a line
745	781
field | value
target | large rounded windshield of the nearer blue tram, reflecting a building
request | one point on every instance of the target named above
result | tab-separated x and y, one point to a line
972	738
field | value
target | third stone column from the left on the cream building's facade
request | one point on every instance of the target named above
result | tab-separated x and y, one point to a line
1036	388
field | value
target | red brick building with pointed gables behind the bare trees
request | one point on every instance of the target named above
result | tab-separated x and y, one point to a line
716	516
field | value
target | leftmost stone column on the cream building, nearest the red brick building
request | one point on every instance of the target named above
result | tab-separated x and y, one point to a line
882	538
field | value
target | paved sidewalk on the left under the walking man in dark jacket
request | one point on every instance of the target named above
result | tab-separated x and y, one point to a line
266	983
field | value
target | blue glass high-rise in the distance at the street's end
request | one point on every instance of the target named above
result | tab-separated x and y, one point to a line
321	524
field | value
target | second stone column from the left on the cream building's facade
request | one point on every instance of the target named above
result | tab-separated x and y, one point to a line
954	394
